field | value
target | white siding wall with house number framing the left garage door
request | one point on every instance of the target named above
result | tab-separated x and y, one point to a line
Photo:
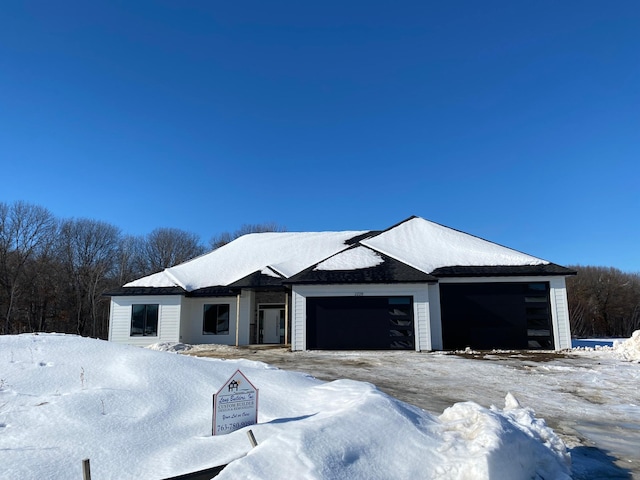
420	307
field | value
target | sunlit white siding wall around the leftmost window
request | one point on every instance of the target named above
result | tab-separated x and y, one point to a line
169	315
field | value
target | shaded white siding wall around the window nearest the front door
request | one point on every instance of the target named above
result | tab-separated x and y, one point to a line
192	322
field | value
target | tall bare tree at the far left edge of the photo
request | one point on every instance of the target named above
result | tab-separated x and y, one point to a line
25	231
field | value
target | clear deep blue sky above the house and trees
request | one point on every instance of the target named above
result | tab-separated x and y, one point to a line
518	122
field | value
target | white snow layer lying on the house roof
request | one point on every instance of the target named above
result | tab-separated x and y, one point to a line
416	242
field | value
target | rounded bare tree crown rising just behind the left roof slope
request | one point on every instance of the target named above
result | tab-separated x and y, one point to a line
166	247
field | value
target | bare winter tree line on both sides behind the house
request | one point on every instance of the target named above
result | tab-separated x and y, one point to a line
54	273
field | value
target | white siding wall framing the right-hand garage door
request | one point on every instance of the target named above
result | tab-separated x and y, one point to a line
557	296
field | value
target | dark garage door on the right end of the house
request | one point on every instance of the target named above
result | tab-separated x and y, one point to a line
496	315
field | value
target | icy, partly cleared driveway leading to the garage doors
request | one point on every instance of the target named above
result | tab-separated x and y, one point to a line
590	399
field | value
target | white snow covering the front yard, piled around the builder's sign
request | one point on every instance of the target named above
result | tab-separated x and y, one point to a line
140	413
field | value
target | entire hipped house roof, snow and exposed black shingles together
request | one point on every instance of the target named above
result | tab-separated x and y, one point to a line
414	250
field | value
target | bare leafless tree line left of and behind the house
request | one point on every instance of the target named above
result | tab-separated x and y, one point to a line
54	272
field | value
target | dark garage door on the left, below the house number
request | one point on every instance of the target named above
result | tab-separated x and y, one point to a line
360	323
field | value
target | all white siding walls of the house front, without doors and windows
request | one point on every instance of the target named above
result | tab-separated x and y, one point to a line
180	318
